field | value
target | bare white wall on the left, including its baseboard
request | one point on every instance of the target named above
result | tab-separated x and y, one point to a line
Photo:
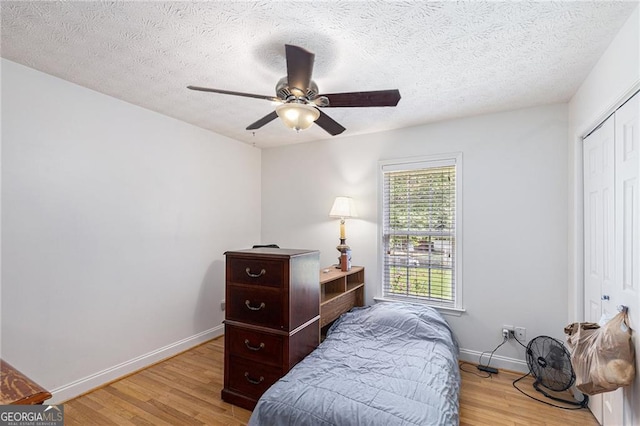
114	224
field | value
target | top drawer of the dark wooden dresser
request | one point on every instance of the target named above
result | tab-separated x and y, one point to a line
263	272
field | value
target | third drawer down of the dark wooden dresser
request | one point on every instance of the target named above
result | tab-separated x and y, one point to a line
255	345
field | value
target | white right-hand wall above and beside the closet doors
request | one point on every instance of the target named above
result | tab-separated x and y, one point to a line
614	78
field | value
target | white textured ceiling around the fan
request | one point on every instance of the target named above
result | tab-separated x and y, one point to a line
448	59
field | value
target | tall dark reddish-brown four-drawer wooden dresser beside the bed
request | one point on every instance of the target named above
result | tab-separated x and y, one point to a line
272	318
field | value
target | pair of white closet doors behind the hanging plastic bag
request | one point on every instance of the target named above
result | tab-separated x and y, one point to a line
612	242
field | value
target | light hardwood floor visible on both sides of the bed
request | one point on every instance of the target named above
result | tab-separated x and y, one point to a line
185	390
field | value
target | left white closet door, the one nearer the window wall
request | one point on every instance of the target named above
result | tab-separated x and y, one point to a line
599	263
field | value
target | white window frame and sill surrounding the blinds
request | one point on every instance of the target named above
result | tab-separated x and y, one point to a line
420	163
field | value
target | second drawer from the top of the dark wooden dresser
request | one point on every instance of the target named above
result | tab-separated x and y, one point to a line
259	306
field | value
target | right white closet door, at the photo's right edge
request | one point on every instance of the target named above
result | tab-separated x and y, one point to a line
626	290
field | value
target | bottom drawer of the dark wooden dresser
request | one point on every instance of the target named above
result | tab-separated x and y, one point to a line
251	379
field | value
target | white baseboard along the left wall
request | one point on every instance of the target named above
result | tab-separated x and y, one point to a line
93	381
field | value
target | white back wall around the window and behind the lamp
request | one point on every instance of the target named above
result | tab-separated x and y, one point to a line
514	214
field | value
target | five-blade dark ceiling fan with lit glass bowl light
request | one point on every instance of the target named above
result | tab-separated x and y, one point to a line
300	101
